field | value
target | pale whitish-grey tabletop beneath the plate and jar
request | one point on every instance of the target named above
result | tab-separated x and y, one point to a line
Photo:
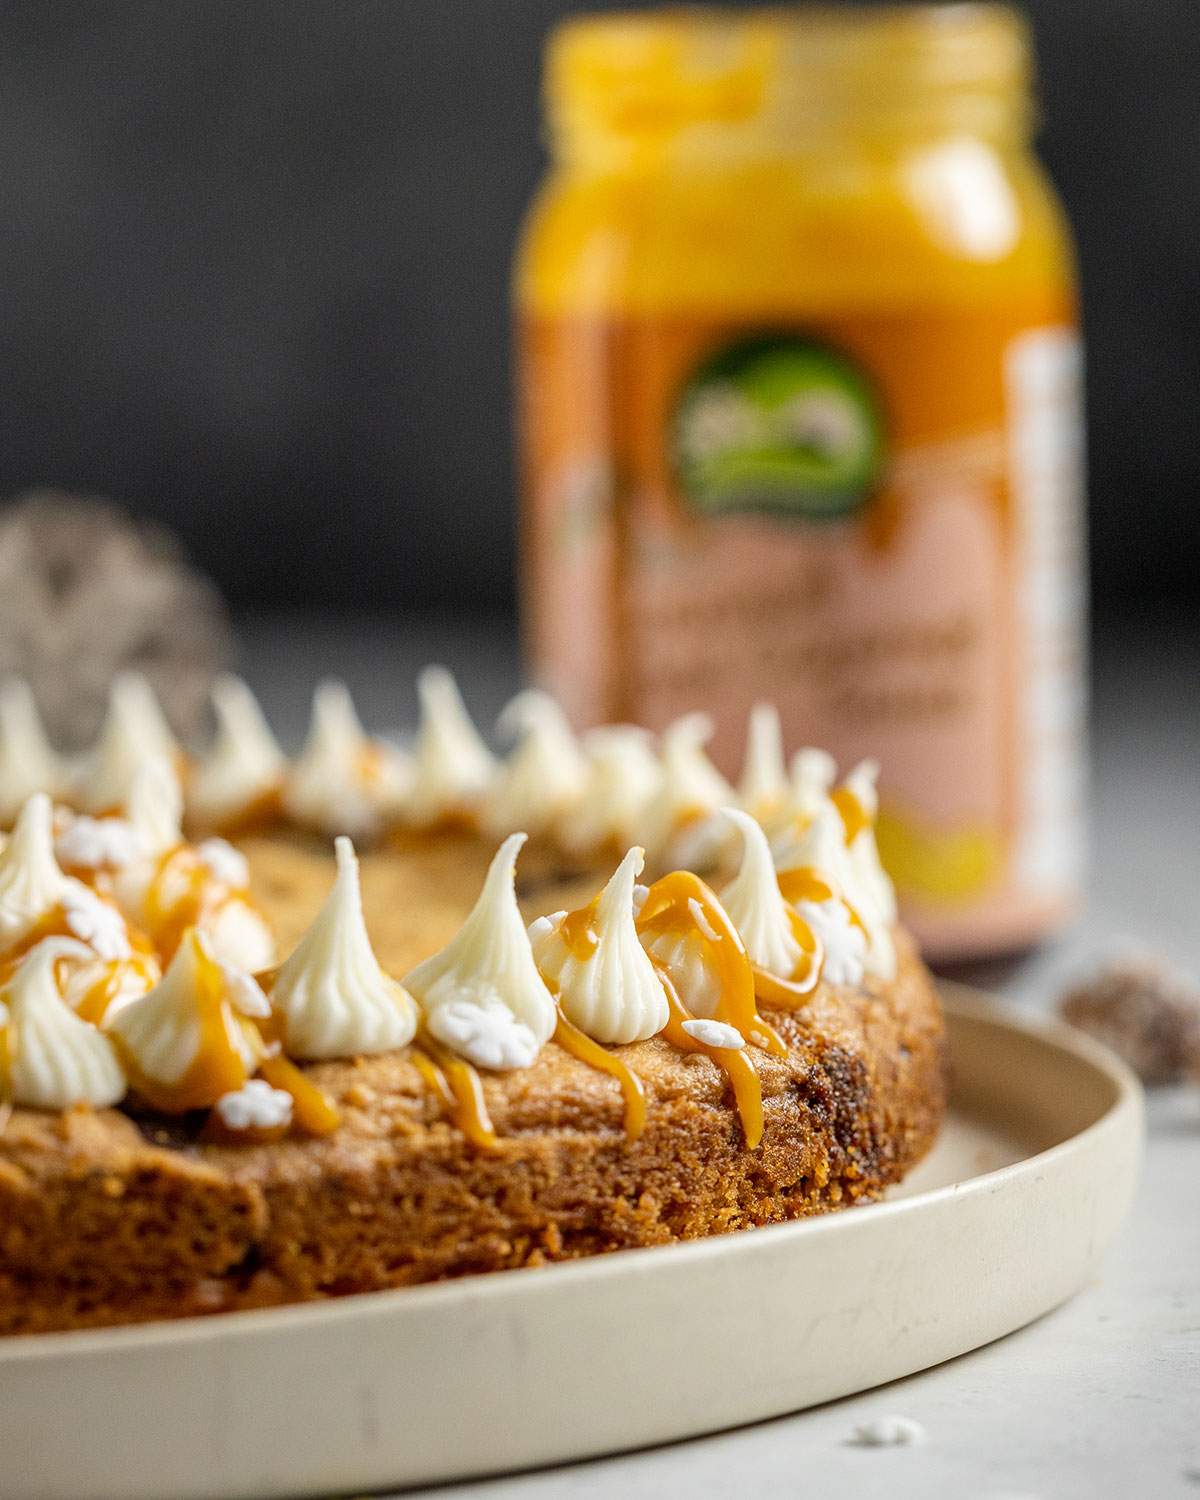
1099	1399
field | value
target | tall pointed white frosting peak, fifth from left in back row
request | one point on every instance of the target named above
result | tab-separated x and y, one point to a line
452	766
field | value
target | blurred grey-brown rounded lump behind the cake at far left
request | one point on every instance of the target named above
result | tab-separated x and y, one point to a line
88	592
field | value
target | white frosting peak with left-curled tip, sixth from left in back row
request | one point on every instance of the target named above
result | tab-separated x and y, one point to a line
544	778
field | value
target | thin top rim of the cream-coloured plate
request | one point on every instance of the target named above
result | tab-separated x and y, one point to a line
959	1001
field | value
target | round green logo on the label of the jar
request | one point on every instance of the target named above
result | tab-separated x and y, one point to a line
779	425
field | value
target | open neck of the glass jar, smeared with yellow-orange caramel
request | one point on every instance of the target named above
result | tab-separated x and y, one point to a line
646	77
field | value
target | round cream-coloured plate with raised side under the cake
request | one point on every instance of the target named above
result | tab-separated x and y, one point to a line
1006	1220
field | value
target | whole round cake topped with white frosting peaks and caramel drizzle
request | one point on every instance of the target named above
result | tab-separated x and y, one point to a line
490	1046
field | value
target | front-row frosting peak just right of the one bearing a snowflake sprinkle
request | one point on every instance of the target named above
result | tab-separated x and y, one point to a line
614	994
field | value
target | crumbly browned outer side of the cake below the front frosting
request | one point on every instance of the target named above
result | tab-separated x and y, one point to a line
109	1220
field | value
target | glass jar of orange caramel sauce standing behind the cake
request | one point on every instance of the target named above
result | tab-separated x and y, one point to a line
799	401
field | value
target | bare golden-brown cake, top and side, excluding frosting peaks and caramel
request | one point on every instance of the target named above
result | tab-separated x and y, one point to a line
128	1214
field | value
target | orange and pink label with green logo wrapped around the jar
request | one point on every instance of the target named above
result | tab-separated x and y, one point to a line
874	523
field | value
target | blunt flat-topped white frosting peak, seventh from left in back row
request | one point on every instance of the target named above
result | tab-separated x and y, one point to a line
623	778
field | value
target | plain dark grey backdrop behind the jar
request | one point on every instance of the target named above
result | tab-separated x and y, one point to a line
254	278
